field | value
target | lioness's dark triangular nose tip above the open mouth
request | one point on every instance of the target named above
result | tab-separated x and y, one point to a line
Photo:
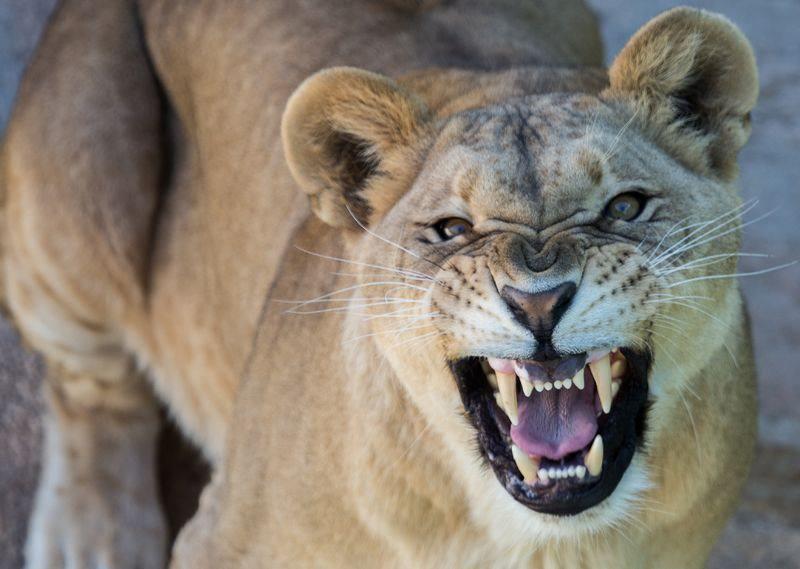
540	311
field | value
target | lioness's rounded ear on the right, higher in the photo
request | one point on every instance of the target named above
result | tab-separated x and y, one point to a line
693	76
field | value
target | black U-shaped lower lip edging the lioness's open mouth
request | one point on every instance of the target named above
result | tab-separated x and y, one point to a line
622	431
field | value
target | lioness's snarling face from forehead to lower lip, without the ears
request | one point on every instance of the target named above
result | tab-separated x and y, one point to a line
543	251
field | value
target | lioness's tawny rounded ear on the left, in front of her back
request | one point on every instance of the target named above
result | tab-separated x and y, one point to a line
351	139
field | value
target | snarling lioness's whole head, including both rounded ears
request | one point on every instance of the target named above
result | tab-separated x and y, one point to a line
549	267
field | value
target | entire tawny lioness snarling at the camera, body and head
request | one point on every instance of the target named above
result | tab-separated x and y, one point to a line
508	337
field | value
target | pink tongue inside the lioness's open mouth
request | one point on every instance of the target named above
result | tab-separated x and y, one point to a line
557	422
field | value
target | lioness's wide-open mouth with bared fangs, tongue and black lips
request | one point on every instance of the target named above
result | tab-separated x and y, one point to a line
559	434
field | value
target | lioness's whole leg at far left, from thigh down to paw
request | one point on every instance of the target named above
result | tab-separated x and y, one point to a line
82	170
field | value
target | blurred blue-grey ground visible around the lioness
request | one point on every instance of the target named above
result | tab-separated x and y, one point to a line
765	532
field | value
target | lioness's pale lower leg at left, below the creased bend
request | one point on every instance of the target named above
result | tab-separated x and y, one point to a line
97	503
